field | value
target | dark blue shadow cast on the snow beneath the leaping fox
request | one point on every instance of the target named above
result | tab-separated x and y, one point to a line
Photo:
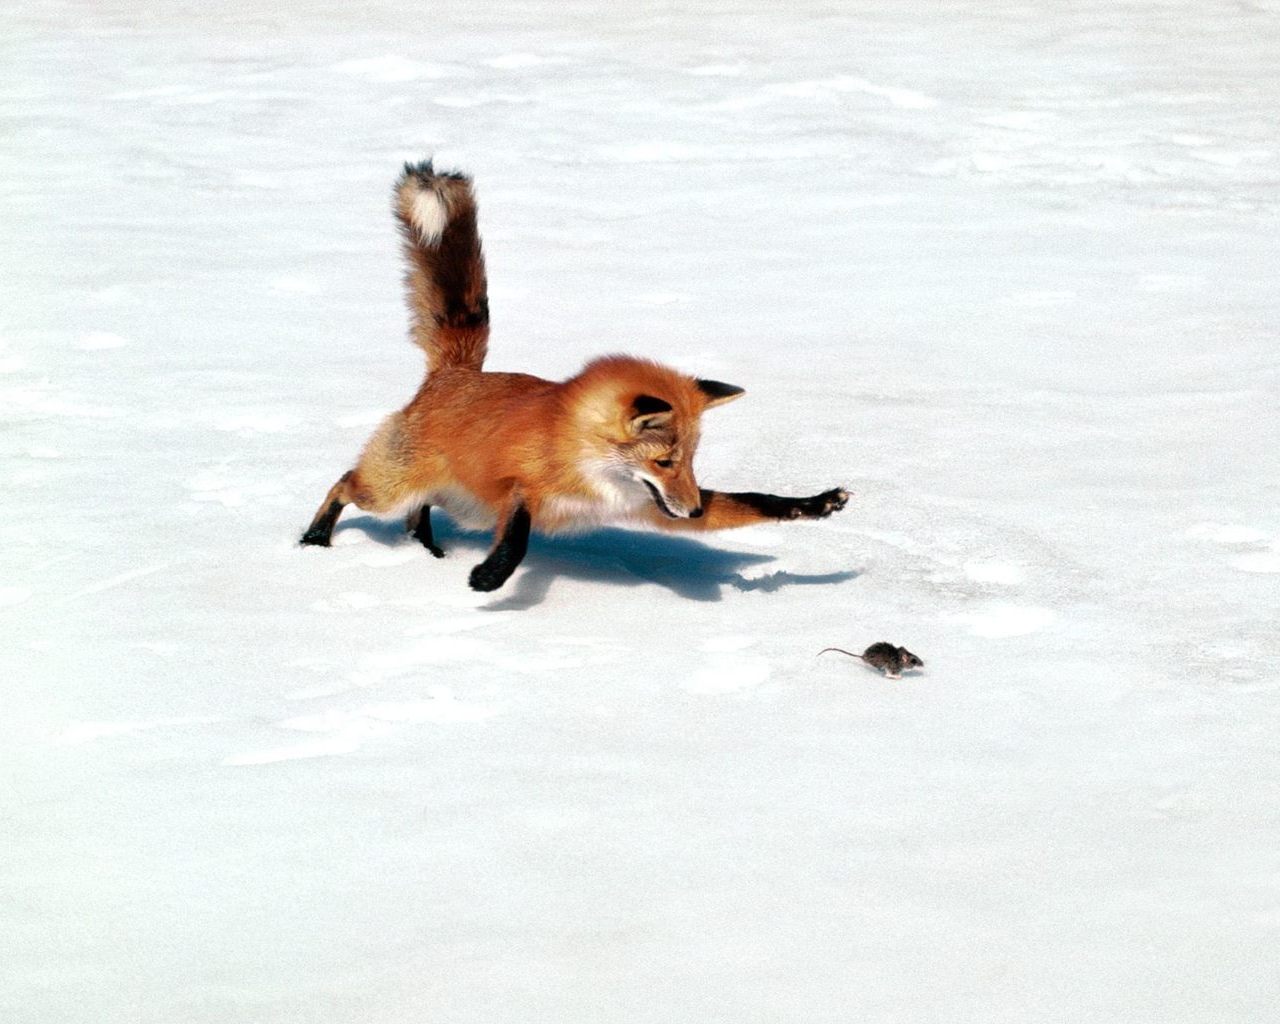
623	557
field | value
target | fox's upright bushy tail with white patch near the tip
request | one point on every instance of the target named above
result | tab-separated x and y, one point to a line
447	289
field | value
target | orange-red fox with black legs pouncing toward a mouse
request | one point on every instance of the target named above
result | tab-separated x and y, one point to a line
515	452
